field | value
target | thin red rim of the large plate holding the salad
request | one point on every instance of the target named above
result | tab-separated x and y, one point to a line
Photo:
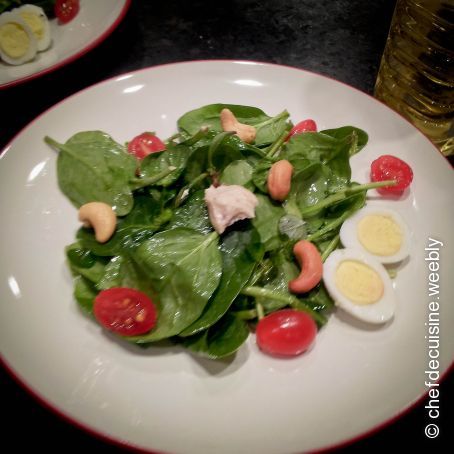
131	446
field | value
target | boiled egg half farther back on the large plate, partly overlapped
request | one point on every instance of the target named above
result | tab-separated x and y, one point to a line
380	232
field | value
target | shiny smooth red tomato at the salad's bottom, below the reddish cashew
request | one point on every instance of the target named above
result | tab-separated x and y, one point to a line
286	333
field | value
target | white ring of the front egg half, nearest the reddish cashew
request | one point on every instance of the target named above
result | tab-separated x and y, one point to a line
379	312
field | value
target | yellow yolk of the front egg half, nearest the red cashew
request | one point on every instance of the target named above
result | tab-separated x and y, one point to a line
359	282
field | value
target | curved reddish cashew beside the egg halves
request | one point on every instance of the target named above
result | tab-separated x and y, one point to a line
311	265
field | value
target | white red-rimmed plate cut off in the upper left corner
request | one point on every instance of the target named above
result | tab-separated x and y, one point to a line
95	22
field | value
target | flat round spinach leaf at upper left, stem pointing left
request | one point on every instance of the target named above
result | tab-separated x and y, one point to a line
91	166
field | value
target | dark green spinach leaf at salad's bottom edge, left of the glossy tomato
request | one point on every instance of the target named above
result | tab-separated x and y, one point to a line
220	340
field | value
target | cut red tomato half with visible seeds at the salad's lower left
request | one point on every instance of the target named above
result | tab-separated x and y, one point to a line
125	311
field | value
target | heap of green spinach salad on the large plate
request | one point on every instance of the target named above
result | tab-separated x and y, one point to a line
208	288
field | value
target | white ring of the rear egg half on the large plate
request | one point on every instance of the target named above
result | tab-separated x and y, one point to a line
349	233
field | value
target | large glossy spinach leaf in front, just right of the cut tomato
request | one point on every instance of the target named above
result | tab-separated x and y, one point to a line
184	267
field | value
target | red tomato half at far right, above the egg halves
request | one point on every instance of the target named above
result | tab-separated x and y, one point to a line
389	167
